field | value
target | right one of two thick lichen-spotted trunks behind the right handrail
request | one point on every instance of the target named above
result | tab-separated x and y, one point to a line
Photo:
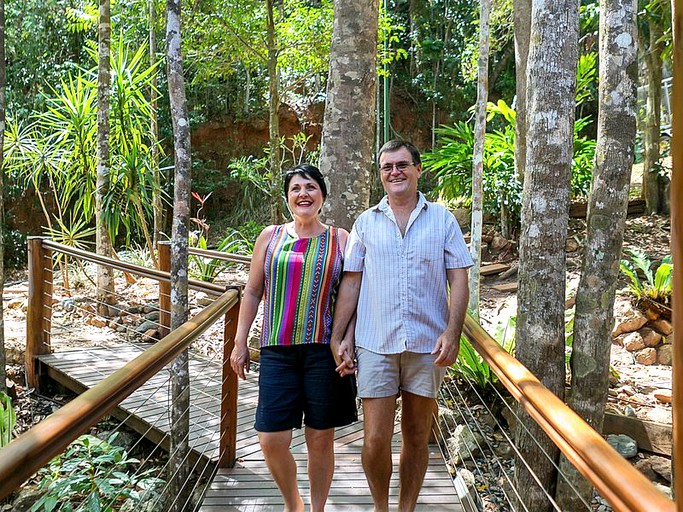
606	219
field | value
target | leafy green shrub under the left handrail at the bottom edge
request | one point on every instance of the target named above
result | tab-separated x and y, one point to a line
93	474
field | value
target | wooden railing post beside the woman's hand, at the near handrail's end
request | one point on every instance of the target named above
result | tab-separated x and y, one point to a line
228	427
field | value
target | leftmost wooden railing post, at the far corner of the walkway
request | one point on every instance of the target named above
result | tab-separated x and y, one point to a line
39	315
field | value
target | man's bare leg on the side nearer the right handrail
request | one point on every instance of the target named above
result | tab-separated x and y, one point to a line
416	422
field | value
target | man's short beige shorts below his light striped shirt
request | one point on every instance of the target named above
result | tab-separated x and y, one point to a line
384	375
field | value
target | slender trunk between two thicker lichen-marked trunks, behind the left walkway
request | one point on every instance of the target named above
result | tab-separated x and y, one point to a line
157	204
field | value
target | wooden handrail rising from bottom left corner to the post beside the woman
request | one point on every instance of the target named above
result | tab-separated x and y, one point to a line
33	449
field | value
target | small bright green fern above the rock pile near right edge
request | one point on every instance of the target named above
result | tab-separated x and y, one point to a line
656	285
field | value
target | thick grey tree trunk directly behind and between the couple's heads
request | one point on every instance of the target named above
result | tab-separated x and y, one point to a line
348	132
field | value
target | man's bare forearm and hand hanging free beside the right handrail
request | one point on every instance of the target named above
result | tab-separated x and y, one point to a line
448	344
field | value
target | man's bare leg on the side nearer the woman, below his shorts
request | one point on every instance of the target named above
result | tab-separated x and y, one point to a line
378	416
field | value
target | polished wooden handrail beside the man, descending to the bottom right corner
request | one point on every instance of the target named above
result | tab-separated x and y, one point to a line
623	486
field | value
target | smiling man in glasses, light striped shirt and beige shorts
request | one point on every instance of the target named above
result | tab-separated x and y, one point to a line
399	258
